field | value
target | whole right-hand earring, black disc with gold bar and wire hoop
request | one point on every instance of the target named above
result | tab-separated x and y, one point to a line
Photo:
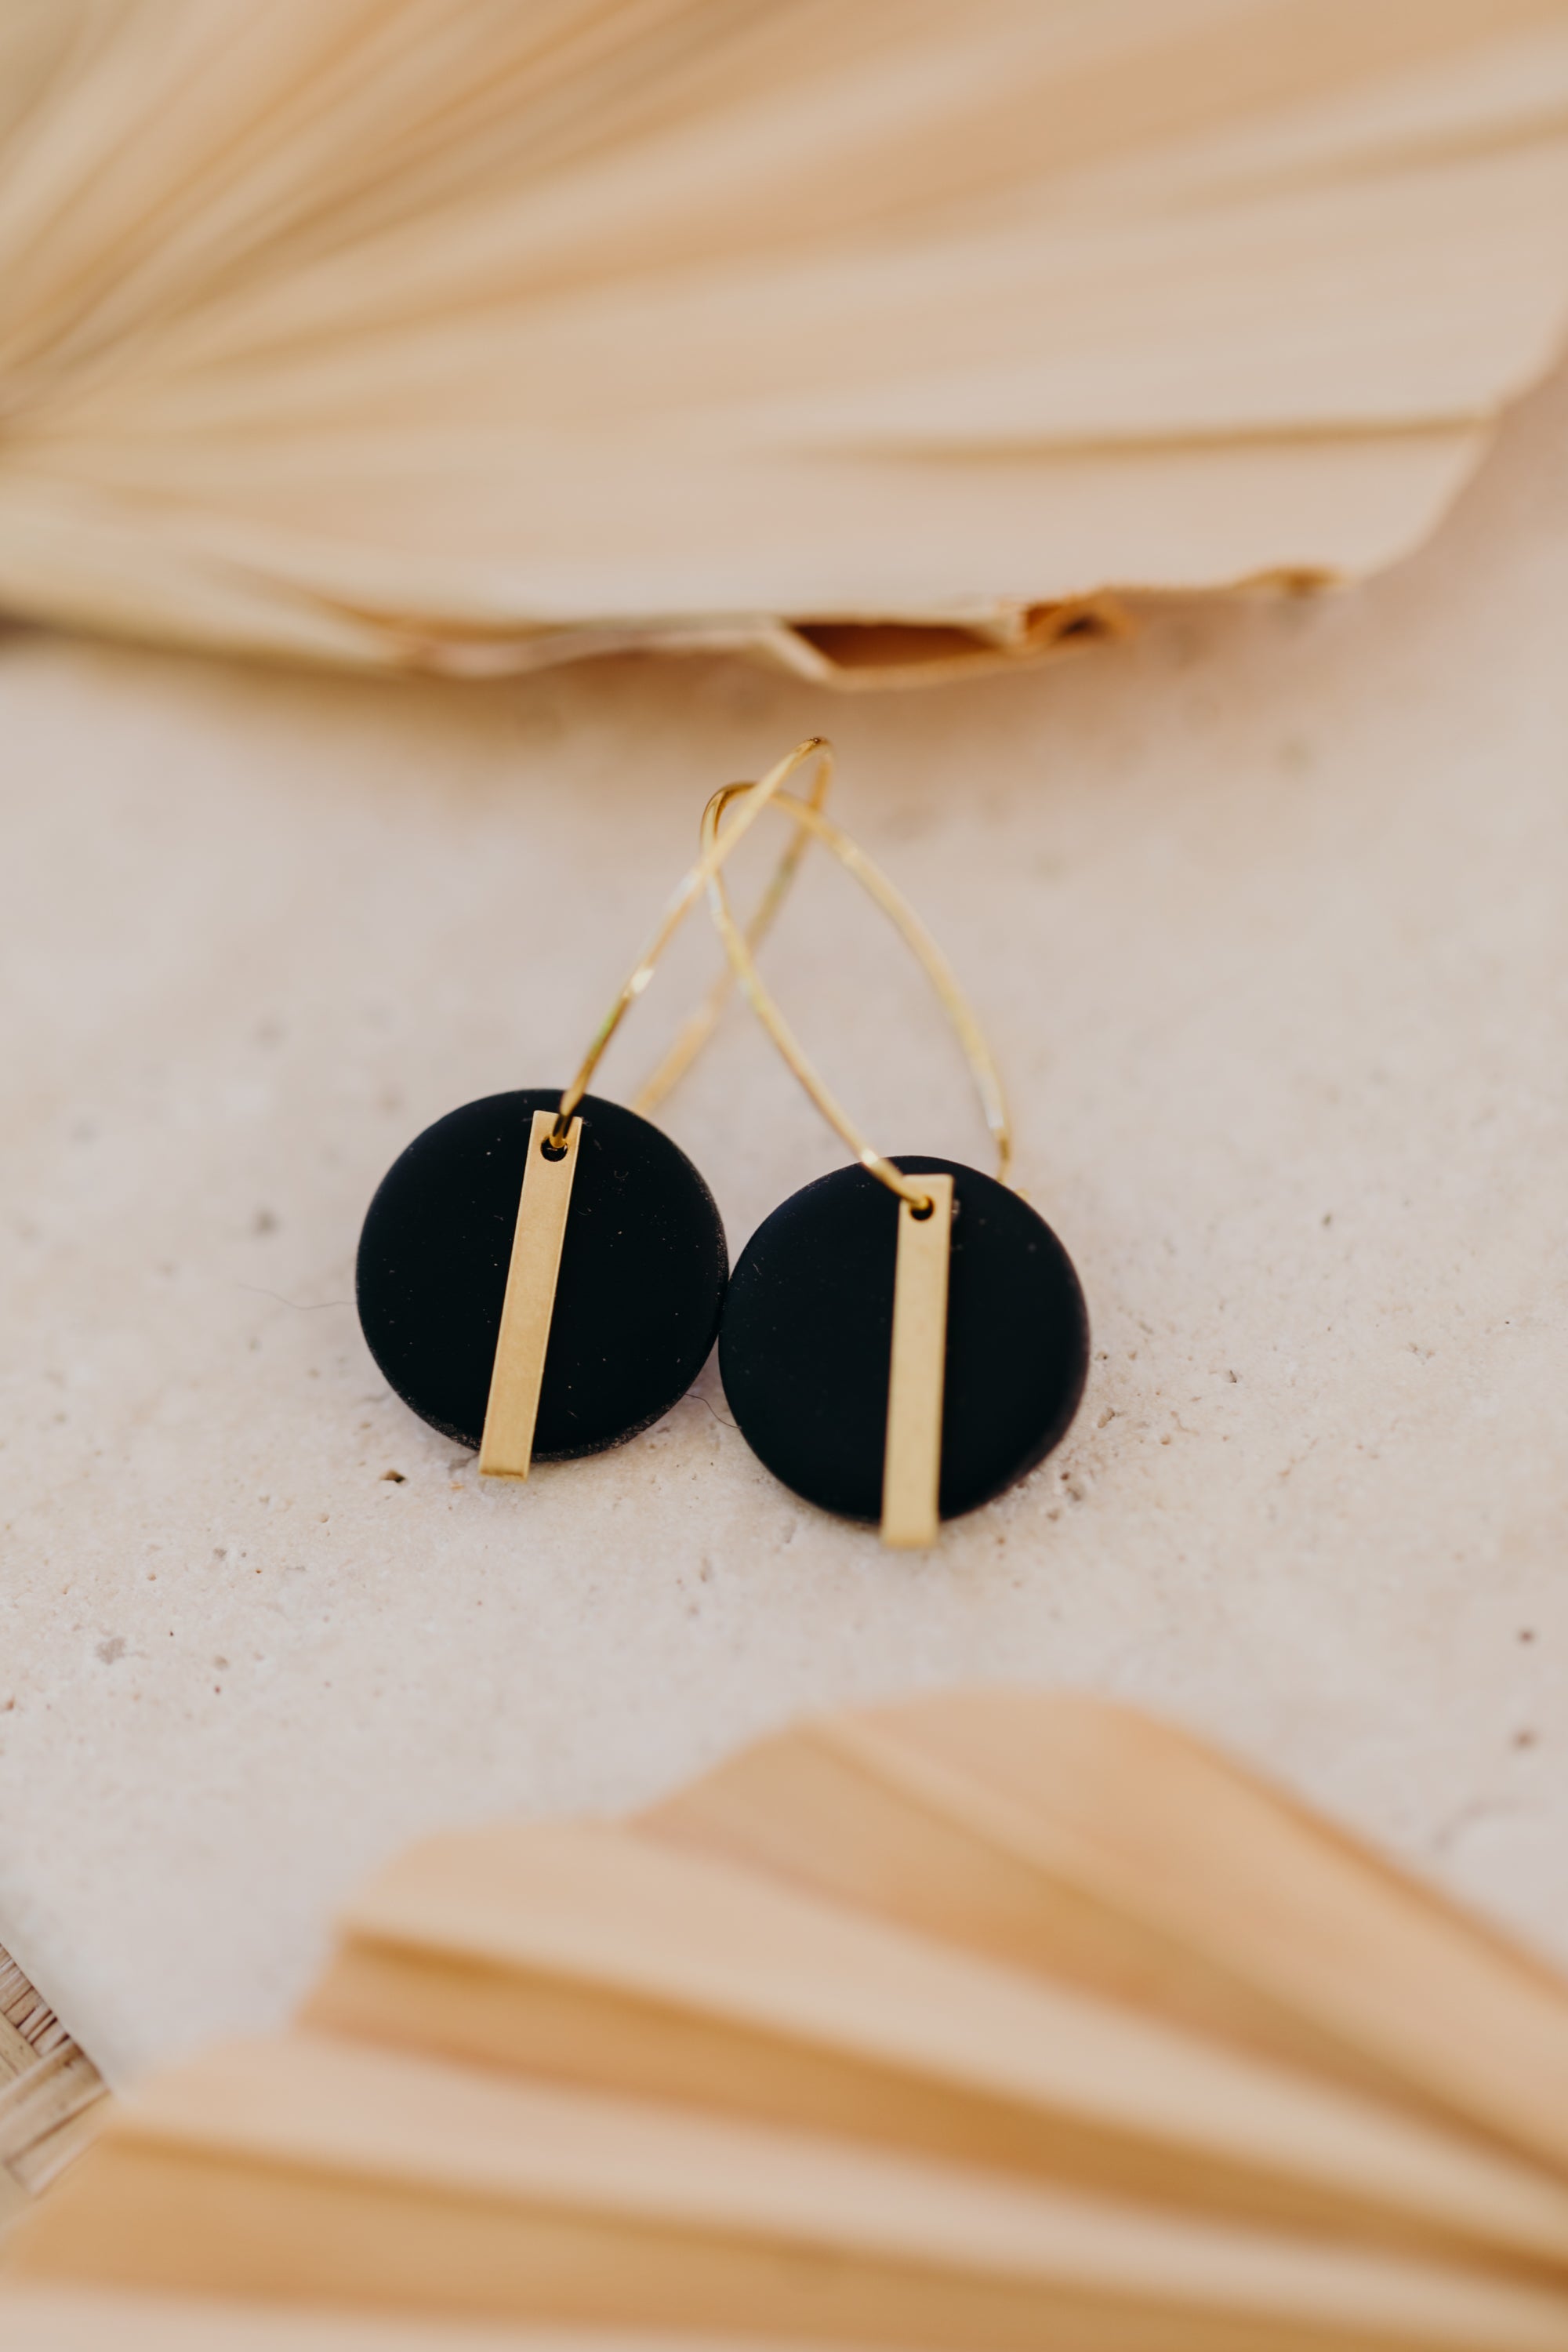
904	1339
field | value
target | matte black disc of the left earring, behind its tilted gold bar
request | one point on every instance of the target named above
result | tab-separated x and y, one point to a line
638	1295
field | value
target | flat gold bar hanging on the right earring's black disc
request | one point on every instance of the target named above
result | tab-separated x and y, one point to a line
913	1459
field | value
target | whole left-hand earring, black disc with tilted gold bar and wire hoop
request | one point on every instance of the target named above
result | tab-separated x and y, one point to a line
542	1271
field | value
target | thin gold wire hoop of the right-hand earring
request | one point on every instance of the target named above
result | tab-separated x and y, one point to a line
918	940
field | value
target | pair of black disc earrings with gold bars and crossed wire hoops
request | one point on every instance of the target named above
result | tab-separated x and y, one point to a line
542	1276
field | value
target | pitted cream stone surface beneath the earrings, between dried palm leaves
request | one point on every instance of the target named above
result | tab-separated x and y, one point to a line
1268	916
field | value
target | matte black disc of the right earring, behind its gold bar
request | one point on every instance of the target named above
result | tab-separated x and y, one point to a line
810	1328
